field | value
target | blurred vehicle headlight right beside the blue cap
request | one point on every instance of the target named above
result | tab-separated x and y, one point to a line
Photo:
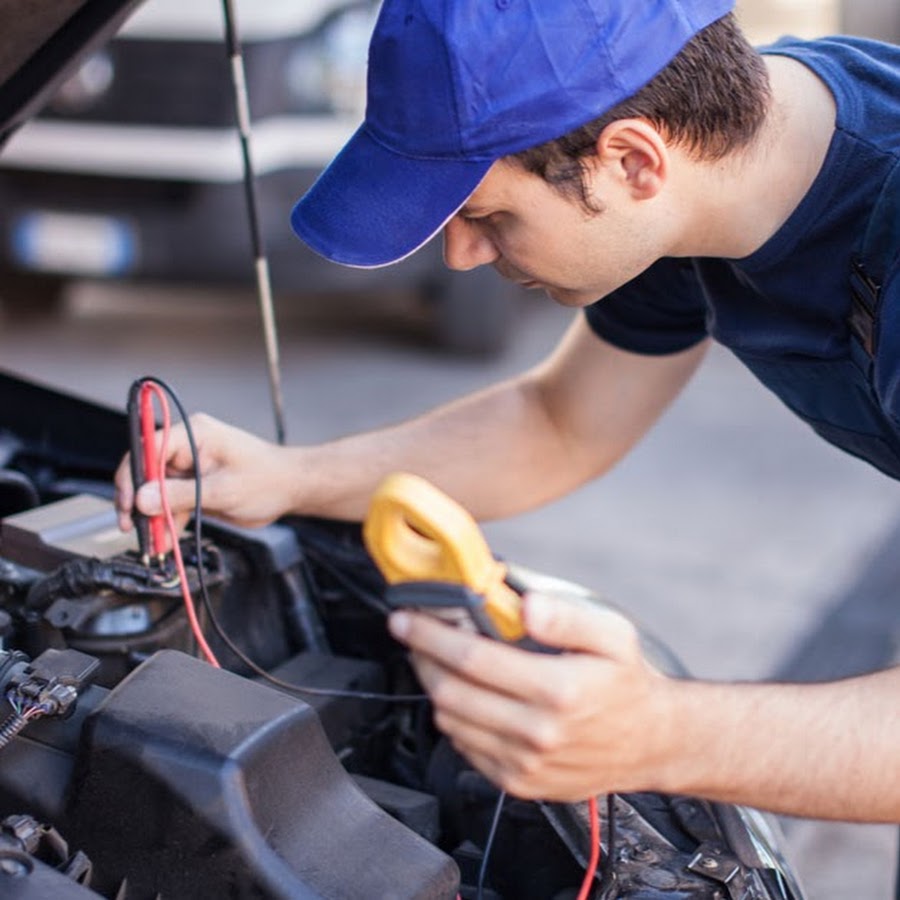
327	71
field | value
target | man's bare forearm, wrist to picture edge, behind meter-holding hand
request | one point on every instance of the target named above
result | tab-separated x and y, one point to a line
821	750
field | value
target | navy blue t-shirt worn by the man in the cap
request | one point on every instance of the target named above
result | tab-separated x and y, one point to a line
784	310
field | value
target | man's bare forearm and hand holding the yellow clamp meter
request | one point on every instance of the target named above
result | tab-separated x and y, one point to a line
600	719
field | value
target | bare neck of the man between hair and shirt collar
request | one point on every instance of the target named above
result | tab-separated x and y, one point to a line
735	205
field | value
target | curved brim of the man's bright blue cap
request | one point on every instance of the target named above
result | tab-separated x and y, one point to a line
372	207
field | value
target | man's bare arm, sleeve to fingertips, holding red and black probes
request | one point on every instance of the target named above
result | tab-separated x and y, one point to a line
502	450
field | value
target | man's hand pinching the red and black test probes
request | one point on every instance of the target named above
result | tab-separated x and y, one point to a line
242	477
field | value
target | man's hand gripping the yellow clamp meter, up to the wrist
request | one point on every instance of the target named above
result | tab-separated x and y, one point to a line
564	727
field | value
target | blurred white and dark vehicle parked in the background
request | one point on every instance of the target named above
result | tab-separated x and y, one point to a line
134	169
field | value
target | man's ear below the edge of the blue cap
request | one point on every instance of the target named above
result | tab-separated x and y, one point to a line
635	155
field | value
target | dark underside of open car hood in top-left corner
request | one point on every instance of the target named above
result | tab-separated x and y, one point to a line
42	42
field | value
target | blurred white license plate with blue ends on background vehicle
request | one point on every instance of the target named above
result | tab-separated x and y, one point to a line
73	243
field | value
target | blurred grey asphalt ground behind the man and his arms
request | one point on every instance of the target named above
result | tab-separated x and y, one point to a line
748	545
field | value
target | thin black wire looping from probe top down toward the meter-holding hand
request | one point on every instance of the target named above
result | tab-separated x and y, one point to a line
207	603
